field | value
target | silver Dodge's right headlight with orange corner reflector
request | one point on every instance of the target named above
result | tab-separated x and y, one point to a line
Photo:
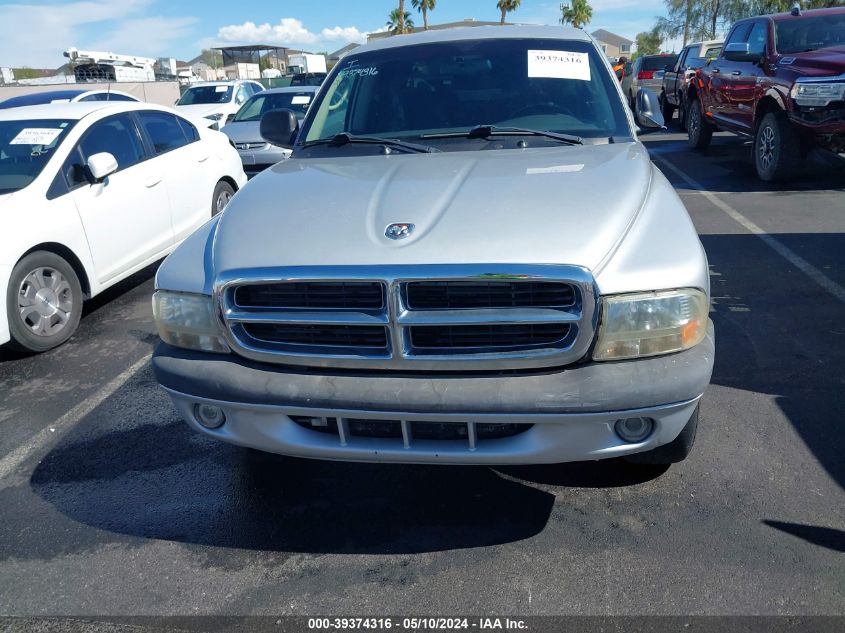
651	323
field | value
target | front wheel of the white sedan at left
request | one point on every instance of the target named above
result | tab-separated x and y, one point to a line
43	302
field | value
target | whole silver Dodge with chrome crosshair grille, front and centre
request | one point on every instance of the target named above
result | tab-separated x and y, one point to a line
469	258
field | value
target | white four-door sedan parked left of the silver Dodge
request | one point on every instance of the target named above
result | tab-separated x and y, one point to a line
91	193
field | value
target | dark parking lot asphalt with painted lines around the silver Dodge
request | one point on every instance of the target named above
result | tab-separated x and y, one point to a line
112	506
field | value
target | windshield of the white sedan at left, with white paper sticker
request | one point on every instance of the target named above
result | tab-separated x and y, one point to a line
25	148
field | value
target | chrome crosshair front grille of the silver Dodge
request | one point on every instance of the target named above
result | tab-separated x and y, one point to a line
411	318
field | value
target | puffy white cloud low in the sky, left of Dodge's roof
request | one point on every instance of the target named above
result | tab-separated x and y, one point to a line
288	32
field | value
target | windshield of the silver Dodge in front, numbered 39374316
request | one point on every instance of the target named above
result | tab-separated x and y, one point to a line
412	91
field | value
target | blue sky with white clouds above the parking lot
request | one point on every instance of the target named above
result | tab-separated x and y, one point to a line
35	34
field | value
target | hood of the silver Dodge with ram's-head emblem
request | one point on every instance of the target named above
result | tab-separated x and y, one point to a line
561	205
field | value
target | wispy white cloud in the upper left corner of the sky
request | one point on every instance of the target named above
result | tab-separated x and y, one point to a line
36	35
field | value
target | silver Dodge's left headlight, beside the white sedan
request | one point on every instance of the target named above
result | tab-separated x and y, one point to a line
187	320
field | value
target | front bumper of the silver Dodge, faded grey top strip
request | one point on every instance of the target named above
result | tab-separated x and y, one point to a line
573	410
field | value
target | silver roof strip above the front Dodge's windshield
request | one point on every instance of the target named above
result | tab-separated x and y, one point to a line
486	33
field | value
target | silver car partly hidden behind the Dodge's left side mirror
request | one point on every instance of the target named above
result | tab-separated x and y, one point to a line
245	128
